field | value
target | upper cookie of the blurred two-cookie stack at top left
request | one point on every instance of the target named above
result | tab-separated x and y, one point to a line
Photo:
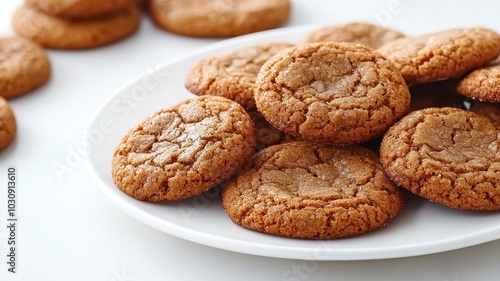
79	8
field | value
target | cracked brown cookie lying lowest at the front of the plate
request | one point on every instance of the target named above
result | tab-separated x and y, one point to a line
312	191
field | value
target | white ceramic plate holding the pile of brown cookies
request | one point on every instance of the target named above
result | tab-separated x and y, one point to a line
422	228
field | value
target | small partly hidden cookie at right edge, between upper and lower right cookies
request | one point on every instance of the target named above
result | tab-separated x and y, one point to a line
483	83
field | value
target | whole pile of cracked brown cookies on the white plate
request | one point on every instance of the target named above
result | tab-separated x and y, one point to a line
310	109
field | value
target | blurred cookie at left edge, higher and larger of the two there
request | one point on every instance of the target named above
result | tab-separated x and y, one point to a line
24	66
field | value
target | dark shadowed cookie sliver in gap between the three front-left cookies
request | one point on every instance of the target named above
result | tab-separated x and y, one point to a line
265	134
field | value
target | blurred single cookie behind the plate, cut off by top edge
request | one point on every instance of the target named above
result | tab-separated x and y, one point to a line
223	18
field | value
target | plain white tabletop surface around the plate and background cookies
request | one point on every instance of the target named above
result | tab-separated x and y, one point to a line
68	231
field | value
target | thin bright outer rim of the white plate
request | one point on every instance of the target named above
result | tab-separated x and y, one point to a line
245	247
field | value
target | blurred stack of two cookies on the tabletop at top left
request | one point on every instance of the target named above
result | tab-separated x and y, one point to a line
80	24
